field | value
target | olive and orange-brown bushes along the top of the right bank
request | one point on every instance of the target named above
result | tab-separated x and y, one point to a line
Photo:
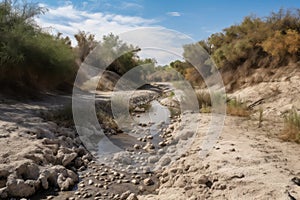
268	42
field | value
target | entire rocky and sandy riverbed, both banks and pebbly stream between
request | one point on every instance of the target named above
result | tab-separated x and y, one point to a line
43	160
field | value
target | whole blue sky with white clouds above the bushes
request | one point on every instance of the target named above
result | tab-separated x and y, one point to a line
170	21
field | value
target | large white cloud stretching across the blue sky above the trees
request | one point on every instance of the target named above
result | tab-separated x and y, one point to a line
159	43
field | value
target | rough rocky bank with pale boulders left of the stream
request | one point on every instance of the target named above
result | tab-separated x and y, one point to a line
36	154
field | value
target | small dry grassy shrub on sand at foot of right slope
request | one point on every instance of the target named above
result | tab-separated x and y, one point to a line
236	107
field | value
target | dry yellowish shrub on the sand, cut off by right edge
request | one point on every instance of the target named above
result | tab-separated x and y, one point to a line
291	131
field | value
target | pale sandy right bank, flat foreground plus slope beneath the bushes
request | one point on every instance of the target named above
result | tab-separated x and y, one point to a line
247	162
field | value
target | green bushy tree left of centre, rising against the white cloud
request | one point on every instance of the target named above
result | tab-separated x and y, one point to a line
111	53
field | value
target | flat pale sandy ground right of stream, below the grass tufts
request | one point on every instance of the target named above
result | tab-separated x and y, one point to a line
246	163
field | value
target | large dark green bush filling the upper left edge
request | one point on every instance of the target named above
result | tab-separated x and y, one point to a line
29	57
